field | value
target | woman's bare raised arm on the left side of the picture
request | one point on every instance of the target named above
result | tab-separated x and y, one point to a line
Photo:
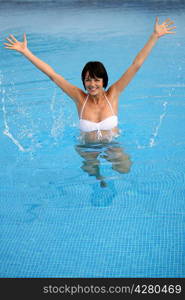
13	44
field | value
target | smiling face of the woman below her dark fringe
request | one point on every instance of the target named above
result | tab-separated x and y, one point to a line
93	85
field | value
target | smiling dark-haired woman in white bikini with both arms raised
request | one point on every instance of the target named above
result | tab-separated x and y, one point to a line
97	107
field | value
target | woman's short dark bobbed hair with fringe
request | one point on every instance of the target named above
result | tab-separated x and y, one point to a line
96	70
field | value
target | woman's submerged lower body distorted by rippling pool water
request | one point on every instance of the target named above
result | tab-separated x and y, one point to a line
111	152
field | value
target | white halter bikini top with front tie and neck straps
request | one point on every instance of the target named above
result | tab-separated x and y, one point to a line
106	124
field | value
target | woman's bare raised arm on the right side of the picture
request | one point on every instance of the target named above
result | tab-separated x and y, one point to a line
159	30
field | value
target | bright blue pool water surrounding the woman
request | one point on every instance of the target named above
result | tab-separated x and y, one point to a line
56	220
